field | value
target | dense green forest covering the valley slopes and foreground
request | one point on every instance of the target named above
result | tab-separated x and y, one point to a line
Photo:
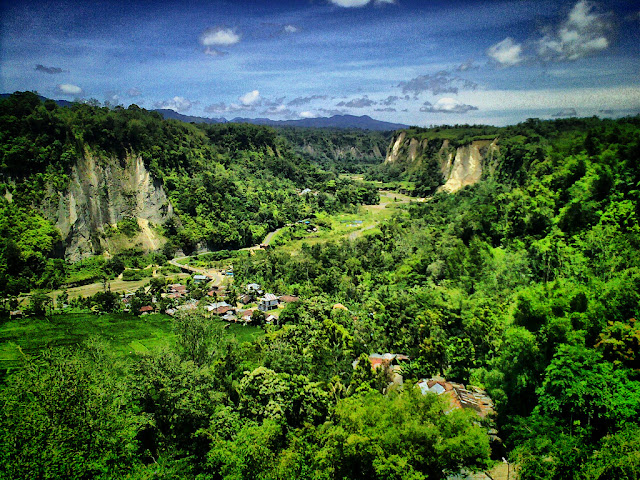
525	285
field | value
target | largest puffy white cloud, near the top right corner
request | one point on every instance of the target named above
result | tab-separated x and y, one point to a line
583	33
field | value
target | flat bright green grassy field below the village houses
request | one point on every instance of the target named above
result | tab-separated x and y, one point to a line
125	333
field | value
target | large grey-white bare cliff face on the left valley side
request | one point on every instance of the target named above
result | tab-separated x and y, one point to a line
102	192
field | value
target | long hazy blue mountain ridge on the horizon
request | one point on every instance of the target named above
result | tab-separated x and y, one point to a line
363	122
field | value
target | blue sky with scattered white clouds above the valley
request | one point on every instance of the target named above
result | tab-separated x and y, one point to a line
414	62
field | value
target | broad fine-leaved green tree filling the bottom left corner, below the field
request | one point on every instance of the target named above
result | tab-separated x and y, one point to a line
67	416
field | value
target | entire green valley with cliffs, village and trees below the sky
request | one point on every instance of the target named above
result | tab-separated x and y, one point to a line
242	301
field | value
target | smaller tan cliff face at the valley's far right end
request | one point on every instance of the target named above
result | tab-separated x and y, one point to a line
459	166
